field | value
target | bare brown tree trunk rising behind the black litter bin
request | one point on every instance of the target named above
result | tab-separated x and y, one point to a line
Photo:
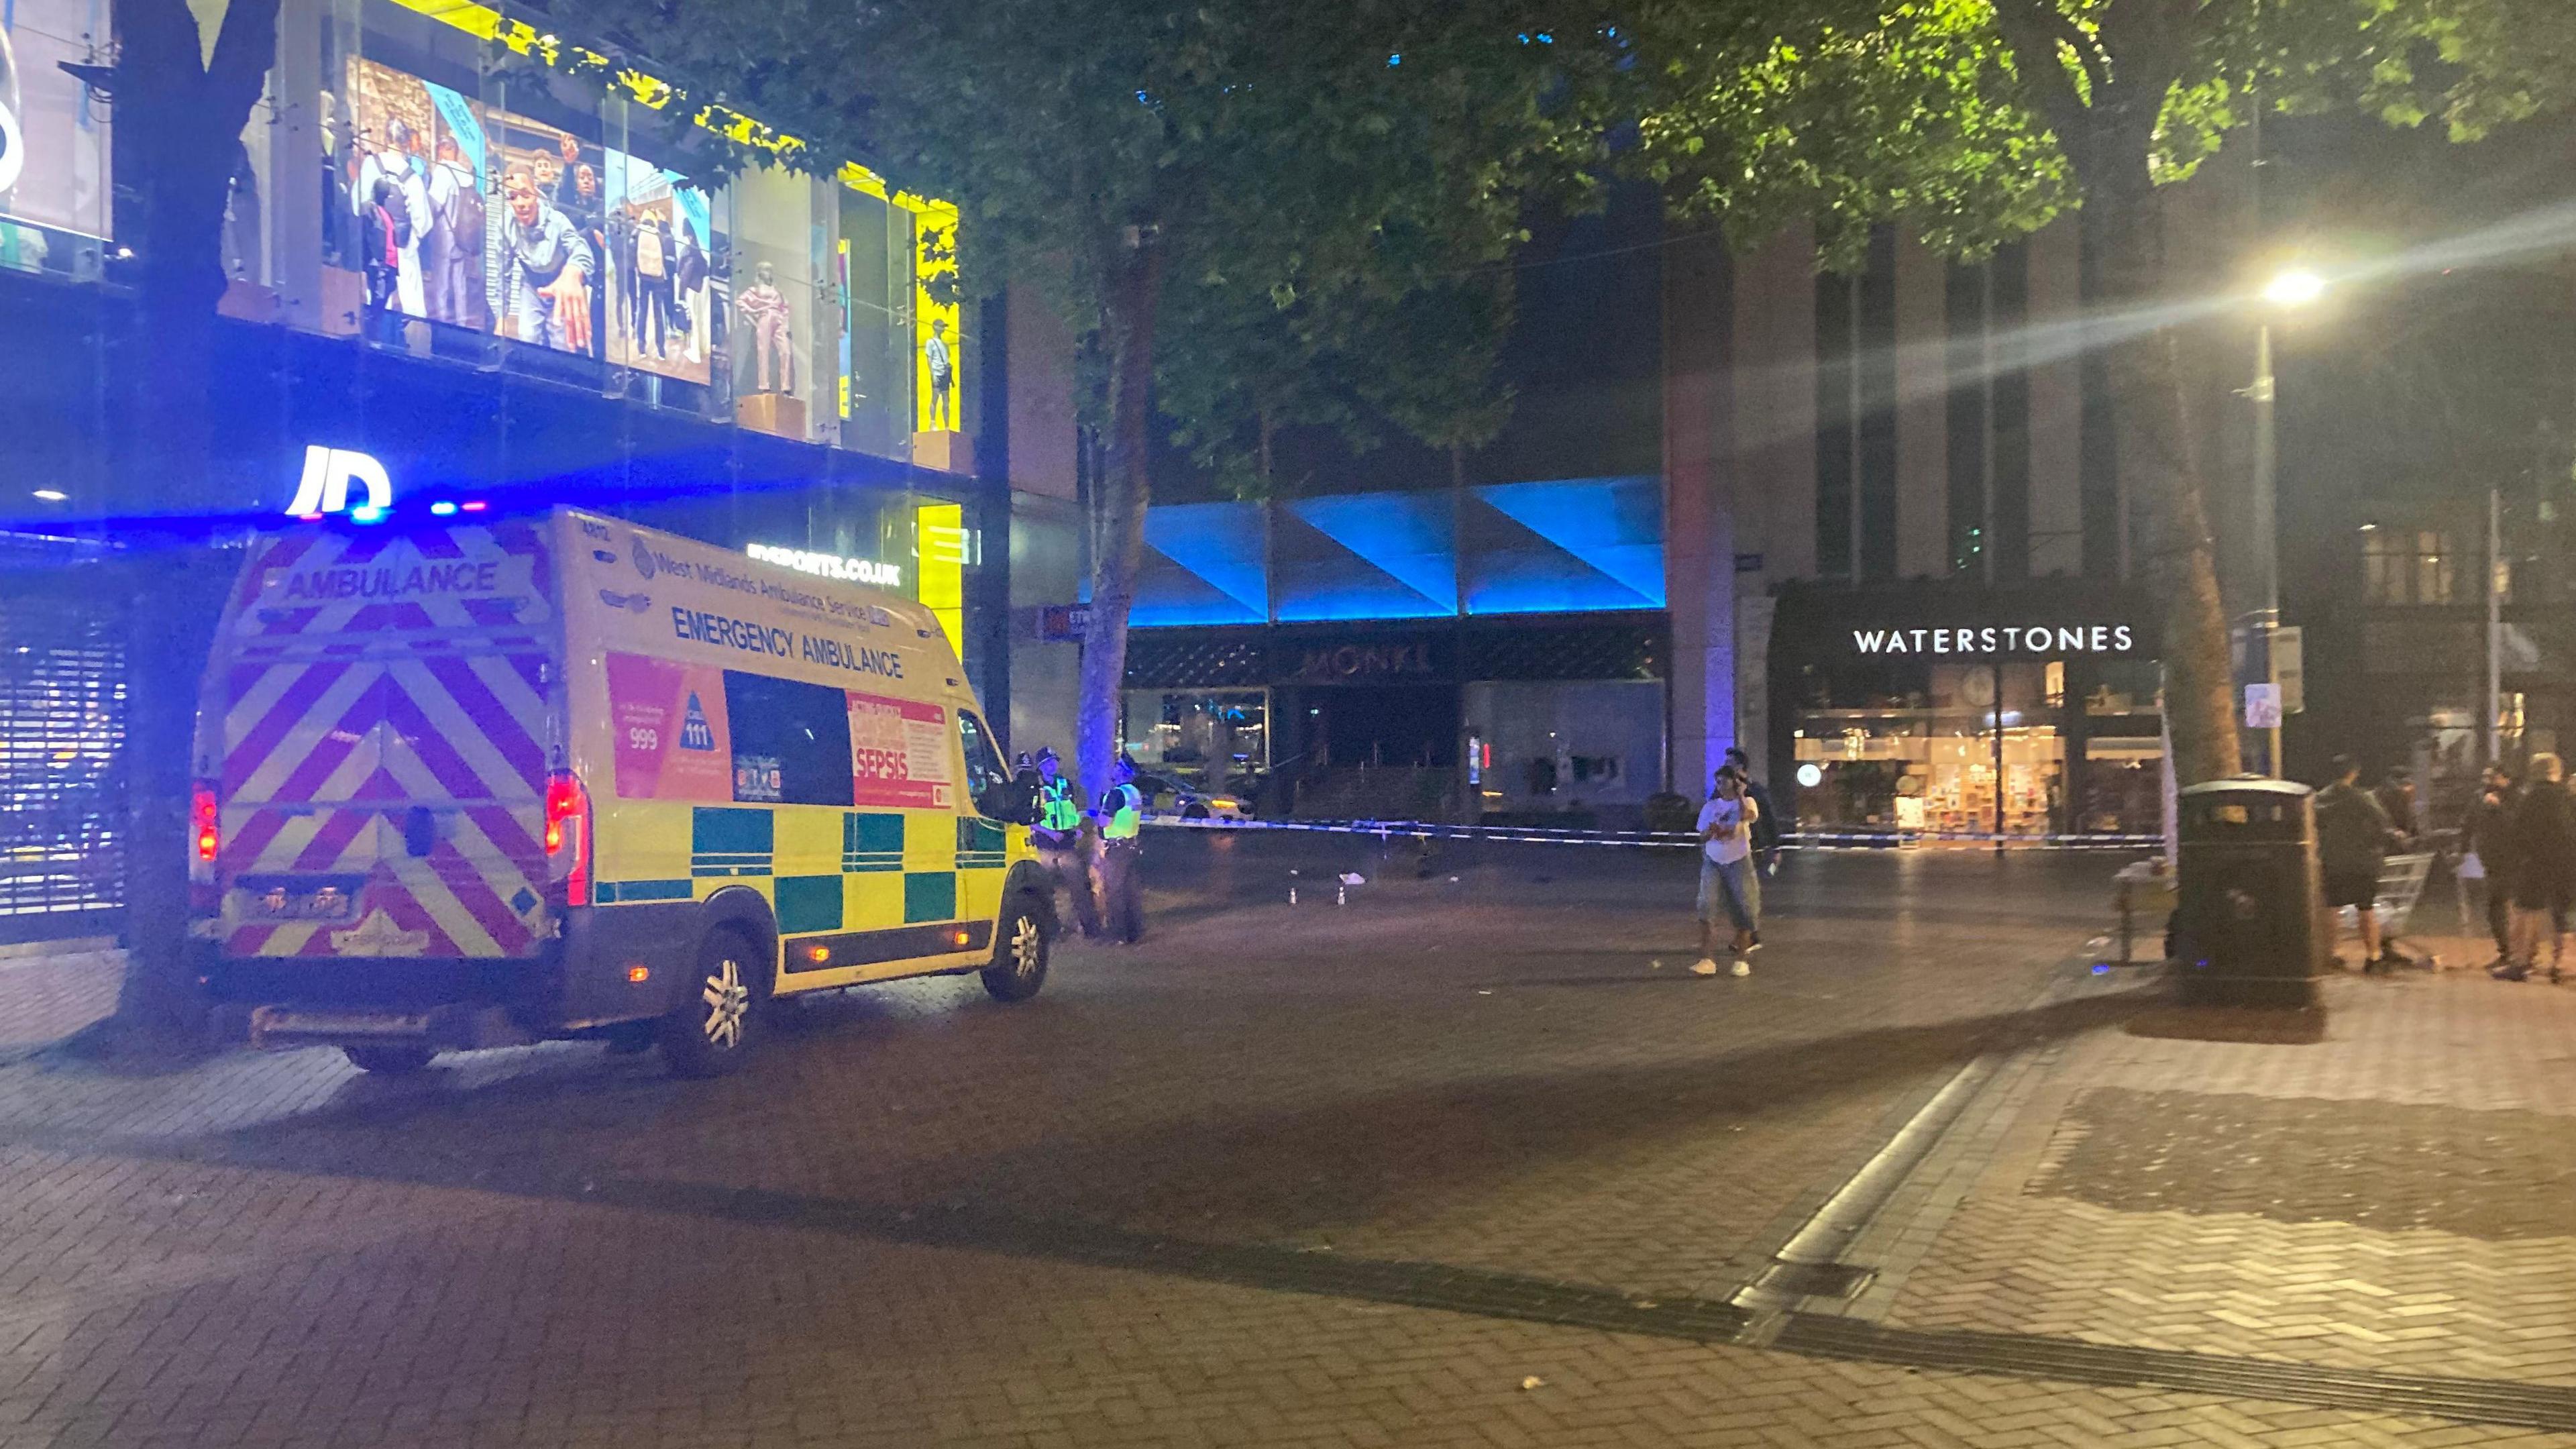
2163	463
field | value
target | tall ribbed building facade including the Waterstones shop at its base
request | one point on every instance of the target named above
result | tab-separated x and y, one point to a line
1900	553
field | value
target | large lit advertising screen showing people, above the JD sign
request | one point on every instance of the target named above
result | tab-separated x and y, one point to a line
478	218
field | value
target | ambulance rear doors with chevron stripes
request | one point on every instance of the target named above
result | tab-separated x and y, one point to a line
377	741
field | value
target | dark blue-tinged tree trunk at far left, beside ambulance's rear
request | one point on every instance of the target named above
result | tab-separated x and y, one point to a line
179	125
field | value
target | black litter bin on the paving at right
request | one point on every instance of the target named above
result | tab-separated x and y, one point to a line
2248	904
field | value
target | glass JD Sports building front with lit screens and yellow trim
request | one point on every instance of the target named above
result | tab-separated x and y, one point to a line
473	287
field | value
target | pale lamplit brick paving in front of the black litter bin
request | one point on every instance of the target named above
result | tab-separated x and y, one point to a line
2389	1198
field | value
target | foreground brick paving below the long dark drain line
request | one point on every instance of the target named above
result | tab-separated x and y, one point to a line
444	1319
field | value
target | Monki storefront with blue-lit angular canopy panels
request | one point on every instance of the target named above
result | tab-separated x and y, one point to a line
1452	654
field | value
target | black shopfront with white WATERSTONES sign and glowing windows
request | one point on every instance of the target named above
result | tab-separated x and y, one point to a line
1938	708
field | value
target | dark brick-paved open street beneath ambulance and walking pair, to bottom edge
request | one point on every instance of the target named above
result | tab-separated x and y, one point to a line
565	1249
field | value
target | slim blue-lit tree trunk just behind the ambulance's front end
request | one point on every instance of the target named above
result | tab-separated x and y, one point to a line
1124	486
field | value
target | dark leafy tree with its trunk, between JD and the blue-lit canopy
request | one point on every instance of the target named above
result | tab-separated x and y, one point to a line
1225	200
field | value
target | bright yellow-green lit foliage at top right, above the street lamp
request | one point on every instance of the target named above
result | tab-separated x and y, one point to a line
1936	115
